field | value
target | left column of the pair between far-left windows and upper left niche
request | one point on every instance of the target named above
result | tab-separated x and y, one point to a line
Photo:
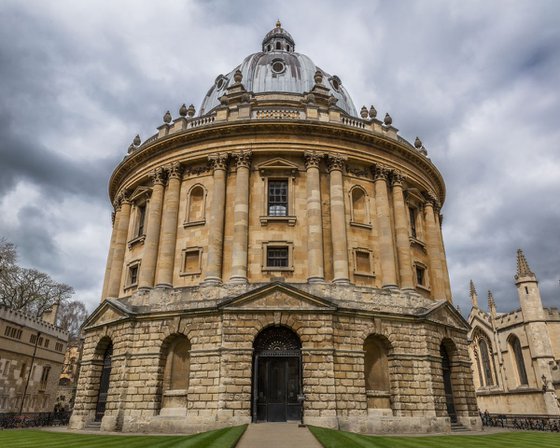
149	258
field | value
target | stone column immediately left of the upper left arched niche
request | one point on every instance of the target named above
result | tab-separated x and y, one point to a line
166	257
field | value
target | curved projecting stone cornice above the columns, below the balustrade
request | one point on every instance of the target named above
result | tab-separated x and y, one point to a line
254	128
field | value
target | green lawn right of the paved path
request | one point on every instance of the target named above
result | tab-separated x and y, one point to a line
330	438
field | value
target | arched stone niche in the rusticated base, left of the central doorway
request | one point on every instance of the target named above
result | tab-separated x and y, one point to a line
175	358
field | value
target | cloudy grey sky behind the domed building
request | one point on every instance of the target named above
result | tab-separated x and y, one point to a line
477	81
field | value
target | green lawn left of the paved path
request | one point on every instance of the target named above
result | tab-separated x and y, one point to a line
32	438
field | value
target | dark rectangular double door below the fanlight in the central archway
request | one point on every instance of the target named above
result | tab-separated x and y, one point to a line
278	384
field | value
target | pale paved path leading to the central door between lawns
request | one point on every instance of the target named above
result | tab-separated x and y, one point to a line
277	435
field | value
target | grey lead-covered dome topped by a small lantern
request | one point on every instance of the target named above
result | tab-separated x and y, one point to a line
278	68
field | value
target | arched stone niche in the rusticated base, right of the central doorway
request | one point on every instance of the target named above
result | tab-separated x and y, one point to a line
376	372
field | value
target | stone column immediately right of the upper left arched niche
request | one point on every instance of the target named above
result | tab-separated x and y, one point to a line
216	224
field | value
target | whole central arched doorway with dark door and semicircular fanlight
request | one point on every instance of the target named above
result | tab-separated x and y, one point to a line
277	375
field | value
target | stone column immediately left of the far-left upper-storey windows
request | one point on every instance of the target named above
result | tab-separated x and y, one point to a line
119	246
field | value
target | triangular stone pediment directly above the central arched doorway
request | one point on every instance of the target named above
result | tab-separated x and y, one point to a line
278	296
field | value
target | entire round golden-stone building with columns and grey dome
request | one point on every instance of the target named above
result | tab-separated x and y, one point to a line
273	258
